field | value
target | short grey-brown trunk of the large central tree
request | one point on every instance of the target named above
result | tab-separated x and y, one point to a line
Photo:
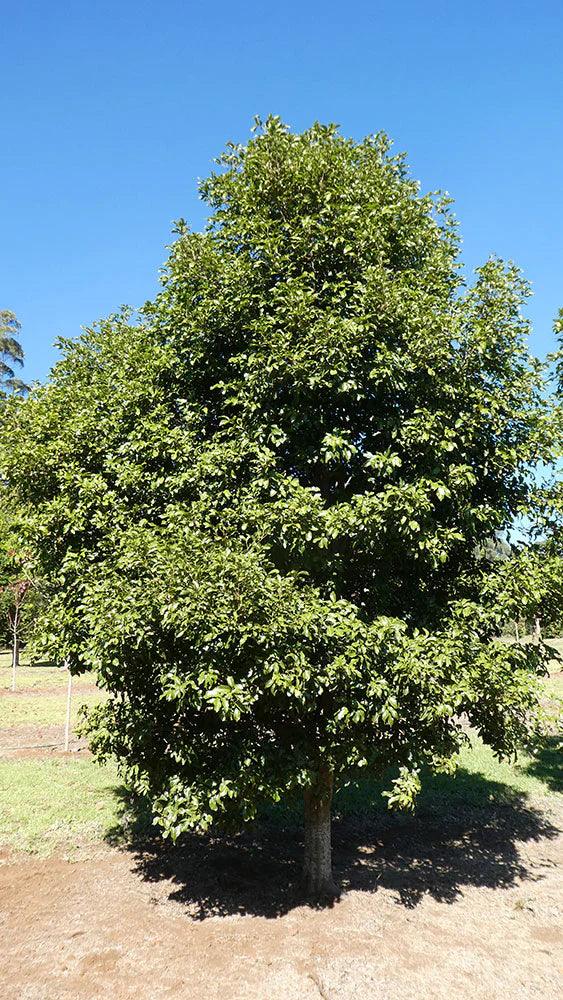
317	863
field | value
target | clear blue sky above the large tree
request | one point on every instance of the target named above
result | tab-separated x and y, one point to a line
111	111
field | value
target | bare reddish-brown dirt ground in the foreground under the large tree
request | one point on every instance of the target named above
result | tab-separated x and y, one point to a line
467	908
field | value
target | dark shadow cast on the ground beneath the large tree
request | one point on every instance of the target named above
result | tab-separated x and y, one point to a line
444	848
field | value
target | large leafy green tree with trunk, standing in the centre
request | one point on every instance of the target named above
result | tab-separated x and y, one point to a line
263	503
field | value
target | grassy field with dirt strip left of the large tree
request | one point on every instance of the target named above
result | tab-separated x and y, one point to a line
49	798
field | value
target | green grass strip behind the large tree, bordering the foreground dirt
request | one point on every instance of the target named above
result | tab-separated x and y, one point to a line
66	802
